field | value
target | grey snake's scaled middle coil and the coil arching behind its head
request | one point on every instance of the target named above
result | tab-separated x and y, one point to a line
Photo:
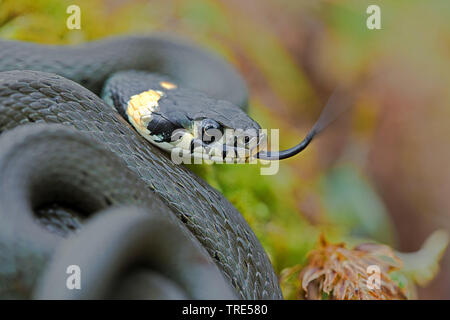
30	96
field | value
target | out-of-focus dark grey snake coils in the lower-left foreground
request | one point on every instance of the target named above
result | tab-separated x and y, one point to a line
133	247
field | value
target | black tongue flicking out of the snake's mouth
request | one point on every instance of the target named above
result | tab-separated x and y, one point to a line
337	104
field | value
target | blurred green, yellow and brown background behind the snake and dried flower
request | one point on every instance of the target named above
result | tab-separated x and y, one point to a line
380	173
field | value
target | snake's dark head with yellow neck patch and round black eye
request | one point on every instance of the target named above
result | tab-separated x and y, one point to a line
183	120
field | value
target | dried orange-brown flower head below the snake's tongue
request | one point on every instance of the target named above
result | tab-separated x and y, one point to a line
344	274
